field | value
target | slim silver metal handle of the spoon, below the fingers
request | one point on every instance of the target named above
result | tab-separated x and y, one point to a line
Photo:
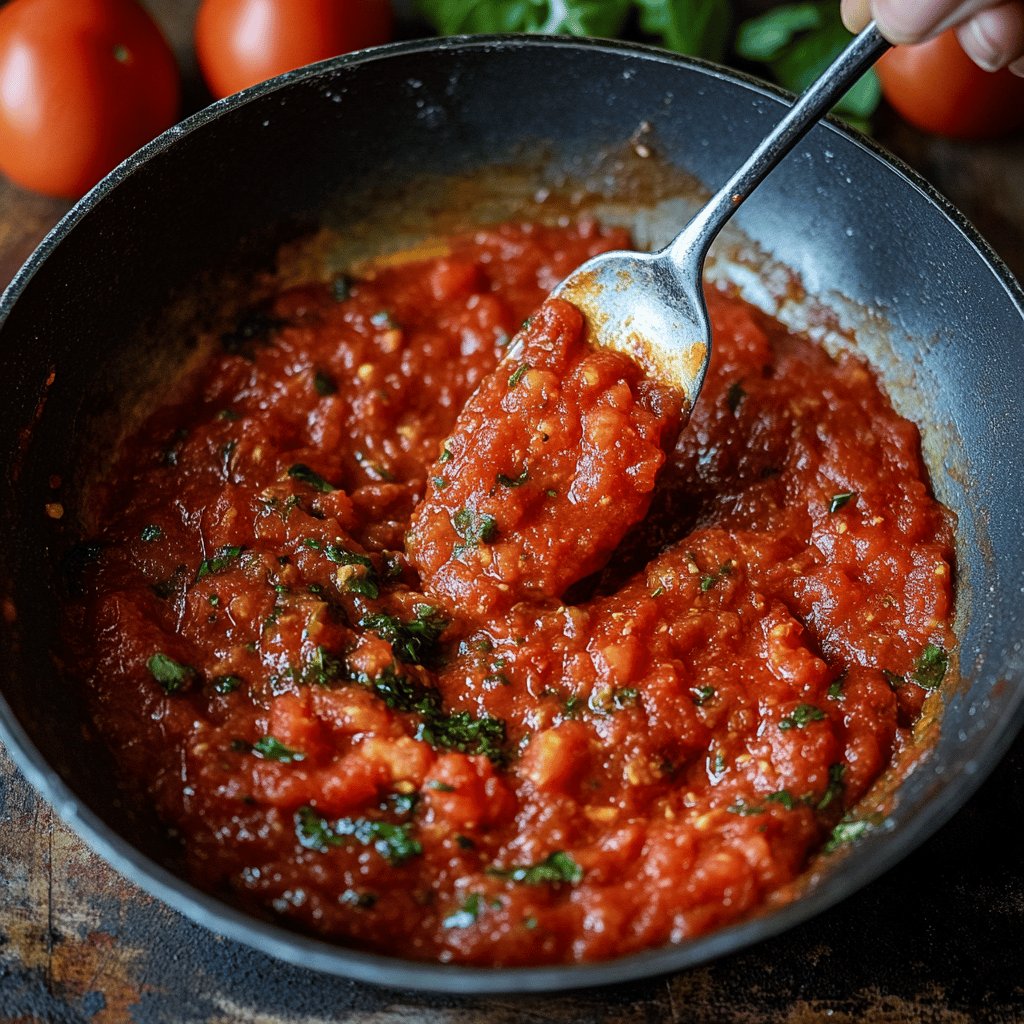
848	67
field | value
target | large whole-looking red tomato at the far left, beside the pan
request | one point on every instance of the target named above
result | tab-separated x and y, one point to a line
83	84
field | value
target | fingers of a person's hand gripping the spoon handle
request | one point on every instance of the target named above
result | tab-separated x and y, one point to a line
992	32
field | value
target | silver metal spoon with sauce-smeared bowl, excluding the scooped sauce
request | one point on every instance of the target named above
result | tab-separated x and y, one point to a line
651	306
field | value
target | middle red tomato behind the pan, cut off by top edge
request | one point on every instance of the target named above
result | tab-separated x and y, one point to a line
242	42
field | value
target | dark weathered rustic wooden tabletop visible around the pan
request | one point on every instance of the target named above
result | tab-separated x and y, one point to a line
938	941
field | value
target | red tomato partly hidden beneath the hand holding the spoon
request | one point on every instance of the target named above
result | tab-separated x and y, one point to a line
937	88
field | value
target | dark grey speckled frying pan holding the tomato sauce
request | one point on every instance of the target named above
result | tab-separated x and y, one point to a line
845	238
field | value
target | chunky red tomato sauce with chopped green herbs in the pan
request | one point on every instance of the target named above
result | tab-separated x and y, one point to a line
509	677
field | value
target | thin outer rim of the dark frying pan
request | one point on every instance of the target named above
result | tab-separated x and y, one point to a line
319	955
